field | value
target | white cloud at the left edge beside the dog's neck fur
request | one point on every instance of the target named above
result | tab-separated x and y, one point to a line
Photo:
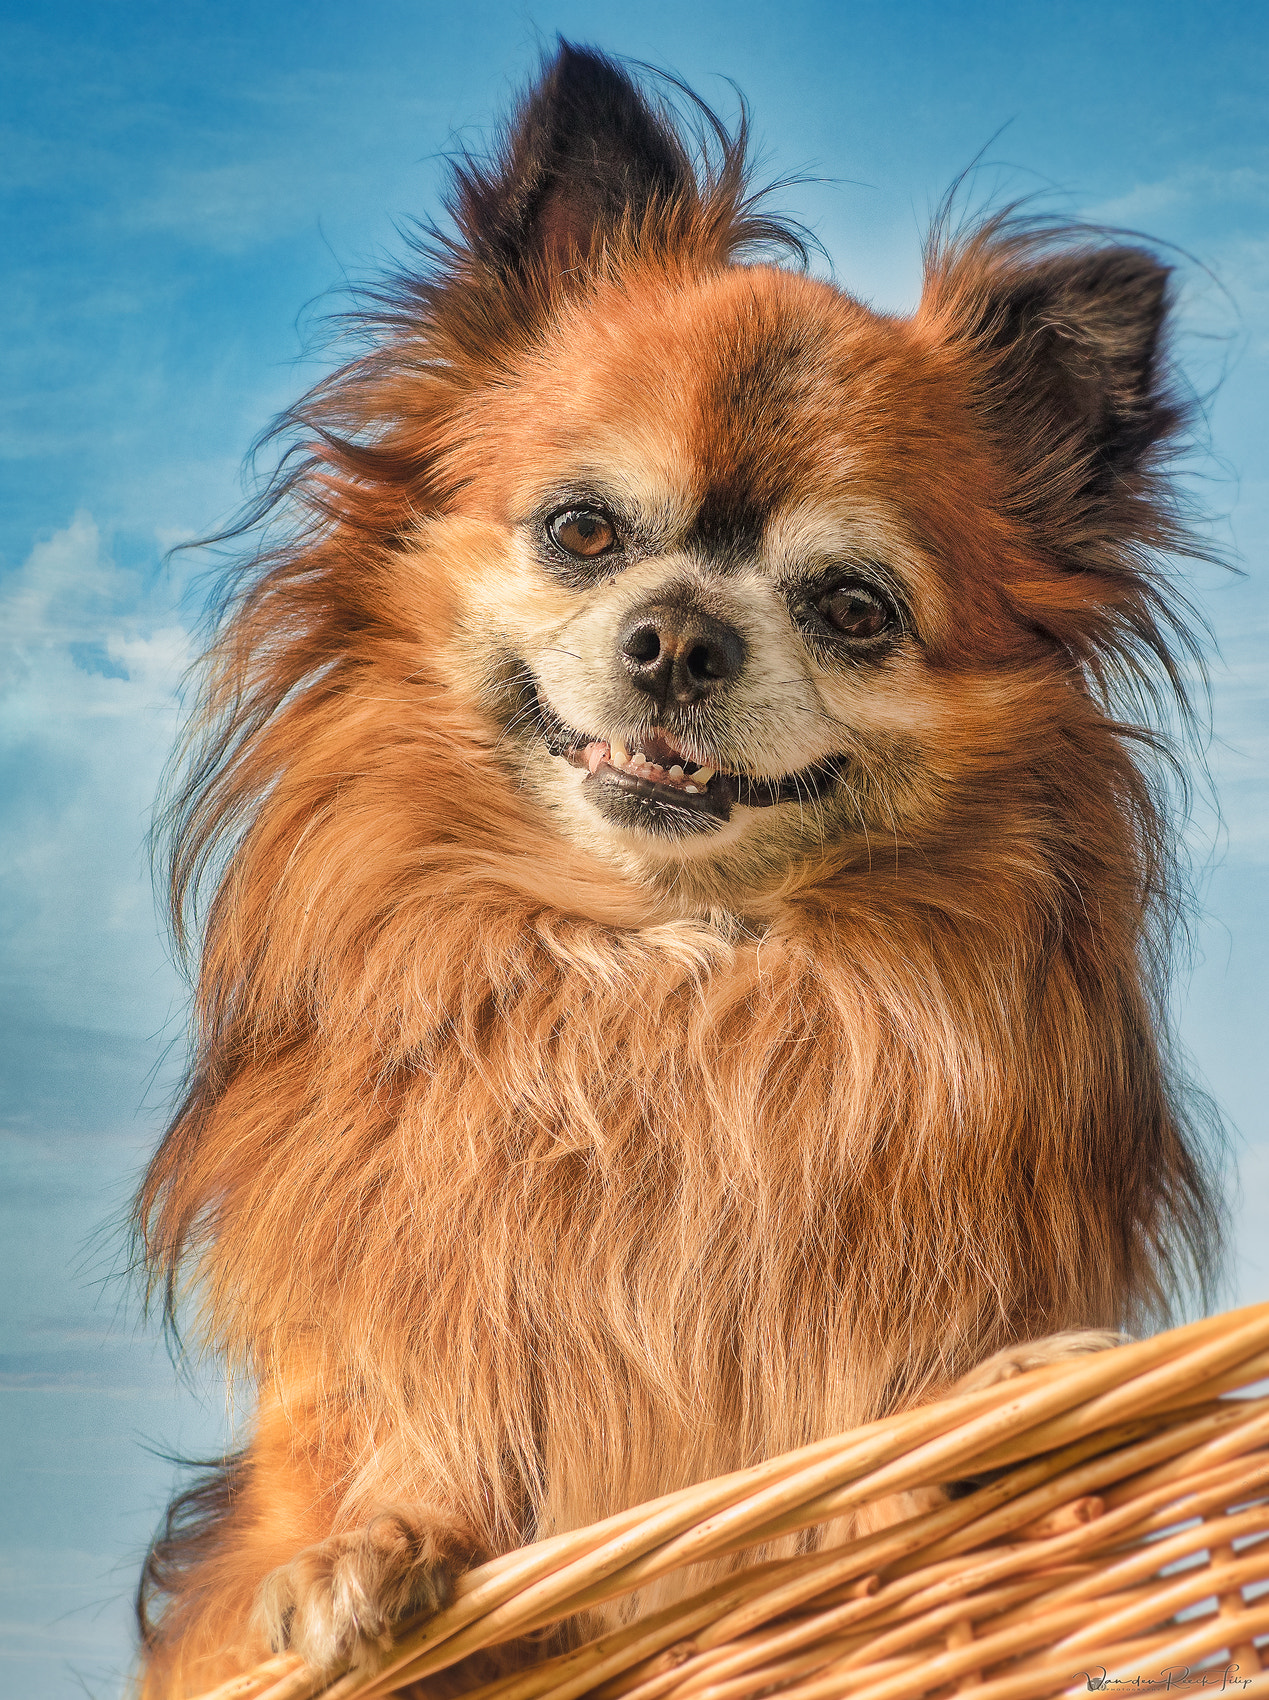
89	671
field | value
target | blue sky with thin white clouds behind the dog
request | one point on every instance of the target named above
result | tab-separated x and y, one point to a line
186	190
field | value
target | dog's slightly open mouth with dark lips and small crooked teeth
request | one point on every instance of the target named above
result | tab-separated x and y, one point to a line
657	779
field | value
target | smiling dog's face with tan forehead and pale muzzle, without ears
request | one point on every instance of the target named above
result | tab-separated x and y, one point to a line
724	611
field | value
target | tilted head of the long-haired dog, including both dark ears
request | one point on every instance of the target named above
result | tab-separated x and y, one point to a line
744	577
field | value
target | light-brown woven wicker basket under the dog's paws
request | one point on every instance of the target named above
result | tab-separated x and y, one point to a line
1118	1543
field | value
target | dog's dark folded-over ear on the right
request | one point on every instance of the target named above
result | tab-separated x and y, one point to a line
1071	382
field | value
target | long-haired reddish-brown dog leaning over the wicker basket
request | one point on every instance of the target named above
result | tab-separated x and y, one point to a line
690	875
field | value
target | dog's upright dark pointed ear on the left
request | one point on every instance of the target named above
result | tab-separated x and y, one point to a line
584	159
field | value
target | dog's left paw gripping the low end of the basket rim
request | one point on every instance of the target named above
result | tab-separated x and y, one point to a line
343	1597
